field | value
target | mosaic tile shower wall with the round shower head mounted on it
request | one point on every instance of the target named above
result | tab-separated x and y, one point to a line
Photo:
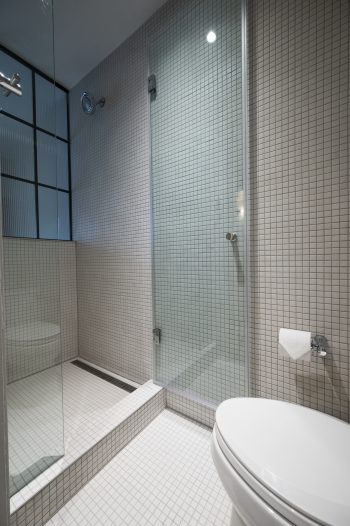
111	215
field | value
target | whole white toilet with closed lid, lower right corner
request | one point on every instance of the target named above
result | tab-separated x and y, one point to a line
282	464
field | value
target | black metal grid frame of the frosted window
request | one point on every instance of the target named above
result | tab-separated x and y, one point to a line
36	128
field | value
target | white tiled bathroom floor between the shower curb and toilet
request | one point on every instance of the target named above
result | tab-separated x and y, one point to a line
165	476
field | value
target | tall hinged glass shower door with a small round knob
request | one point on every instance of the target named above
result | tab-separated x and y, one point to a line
198	203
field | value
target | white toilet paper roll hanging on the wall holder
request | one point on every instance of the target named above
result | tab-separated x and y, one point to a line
295	344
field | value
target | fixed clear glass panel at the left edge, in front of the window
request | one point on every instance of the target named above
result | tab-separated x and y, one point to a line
30	266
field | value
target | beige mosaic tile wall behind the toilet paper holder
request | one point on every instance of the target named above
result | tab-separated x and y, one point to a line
299	158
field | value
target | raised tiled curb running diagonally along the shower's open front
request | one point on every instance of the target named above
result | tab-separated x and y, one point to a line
101	439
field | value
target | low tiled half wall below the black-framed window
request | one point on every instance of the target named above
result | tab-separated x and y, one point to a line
40	302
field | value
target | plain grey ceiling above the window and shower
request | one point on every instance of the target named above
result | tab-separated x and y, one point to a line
86	32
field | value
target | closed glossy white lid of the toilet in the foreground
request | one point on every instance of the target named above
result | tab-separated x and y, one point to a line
302	456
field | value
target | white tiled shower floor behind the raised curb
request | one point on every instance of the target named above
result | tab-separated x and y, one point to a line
35	419
